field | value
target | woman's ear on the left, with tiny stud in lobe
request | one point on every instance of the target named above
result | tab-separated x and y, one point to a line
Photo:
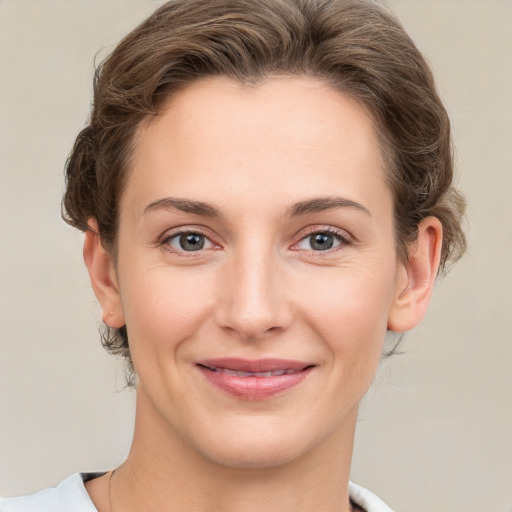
103	276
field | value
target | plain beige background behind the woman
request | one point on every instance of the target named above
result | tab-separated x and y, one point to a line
435	430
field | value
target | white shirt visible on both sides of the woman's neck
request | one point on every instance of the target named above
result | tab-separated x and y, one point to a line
71	496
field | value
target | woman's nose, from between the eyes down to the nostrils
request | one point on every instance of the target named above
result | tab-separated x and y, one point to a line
254	302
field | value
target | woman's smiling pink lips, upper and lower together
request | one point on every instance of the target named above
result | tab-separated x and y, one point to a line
254	379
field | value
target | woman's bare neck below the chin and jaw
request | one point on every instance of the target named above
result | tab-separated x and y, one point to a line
164	472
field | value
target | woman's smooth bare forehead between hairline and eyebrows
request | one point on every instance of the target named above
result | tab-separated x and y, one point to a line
296	135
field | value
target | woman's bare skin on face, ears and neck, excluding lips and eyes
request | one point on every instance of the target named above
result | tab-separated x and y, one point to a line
258	289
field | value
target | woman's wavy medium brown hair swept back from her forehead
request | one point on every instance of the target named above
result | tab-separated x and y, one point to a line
357	47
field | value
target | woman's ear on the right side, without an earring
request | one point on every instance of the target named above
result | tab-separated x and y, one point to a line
416	277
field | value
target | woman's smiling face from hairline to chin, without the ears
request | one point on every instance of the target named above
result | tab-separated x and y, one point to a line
256	268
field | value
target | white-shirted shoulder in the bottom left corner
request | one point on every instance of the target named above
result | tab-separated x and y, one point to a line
69	496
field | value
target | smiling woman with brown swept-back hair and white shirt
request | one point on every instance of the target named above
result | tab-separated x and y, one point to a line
265	190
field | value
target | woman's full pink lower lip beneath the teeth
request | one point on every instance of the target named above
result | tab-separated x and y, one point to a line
254	388
